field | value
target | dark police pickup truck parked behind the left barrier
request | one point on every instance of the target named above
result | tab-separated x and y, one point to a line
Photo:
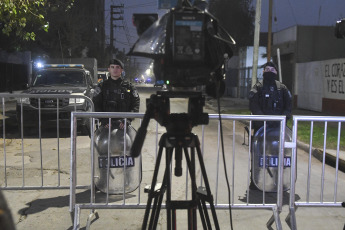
56	79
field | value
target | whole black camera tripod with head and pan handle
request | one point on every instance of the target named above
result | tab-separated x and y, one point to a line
177	140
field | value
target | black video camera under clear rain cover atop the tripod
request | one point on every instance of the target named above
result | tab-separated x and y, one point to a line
187	45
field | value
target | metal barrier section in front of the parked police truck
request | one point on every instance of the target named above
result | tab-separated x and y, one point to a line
30	161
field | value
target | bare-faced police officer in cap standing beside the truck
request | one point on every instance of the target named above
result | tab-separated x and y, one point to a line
116	95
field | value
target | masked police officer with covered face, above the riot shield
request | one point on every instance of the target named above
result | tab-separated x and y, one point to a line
269	97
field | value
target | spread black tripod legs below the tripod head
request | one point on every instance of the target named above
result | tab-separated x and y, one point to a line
199	195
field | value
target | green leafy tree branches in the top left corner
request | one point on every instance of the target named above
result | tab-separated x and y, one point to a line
20	20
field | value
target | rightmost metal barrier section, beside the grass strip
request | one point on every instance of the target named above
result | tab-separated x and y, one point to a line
325	194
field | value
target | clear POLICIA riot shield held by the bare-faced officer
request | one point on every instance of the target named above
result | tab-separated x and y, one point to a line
124	170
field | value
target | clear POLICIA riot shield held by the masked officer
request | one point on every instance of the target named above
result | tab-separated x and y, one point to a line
268	176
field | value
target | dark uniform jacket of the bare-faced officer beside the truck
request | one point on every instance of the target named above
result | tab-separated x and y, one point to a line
116	96
